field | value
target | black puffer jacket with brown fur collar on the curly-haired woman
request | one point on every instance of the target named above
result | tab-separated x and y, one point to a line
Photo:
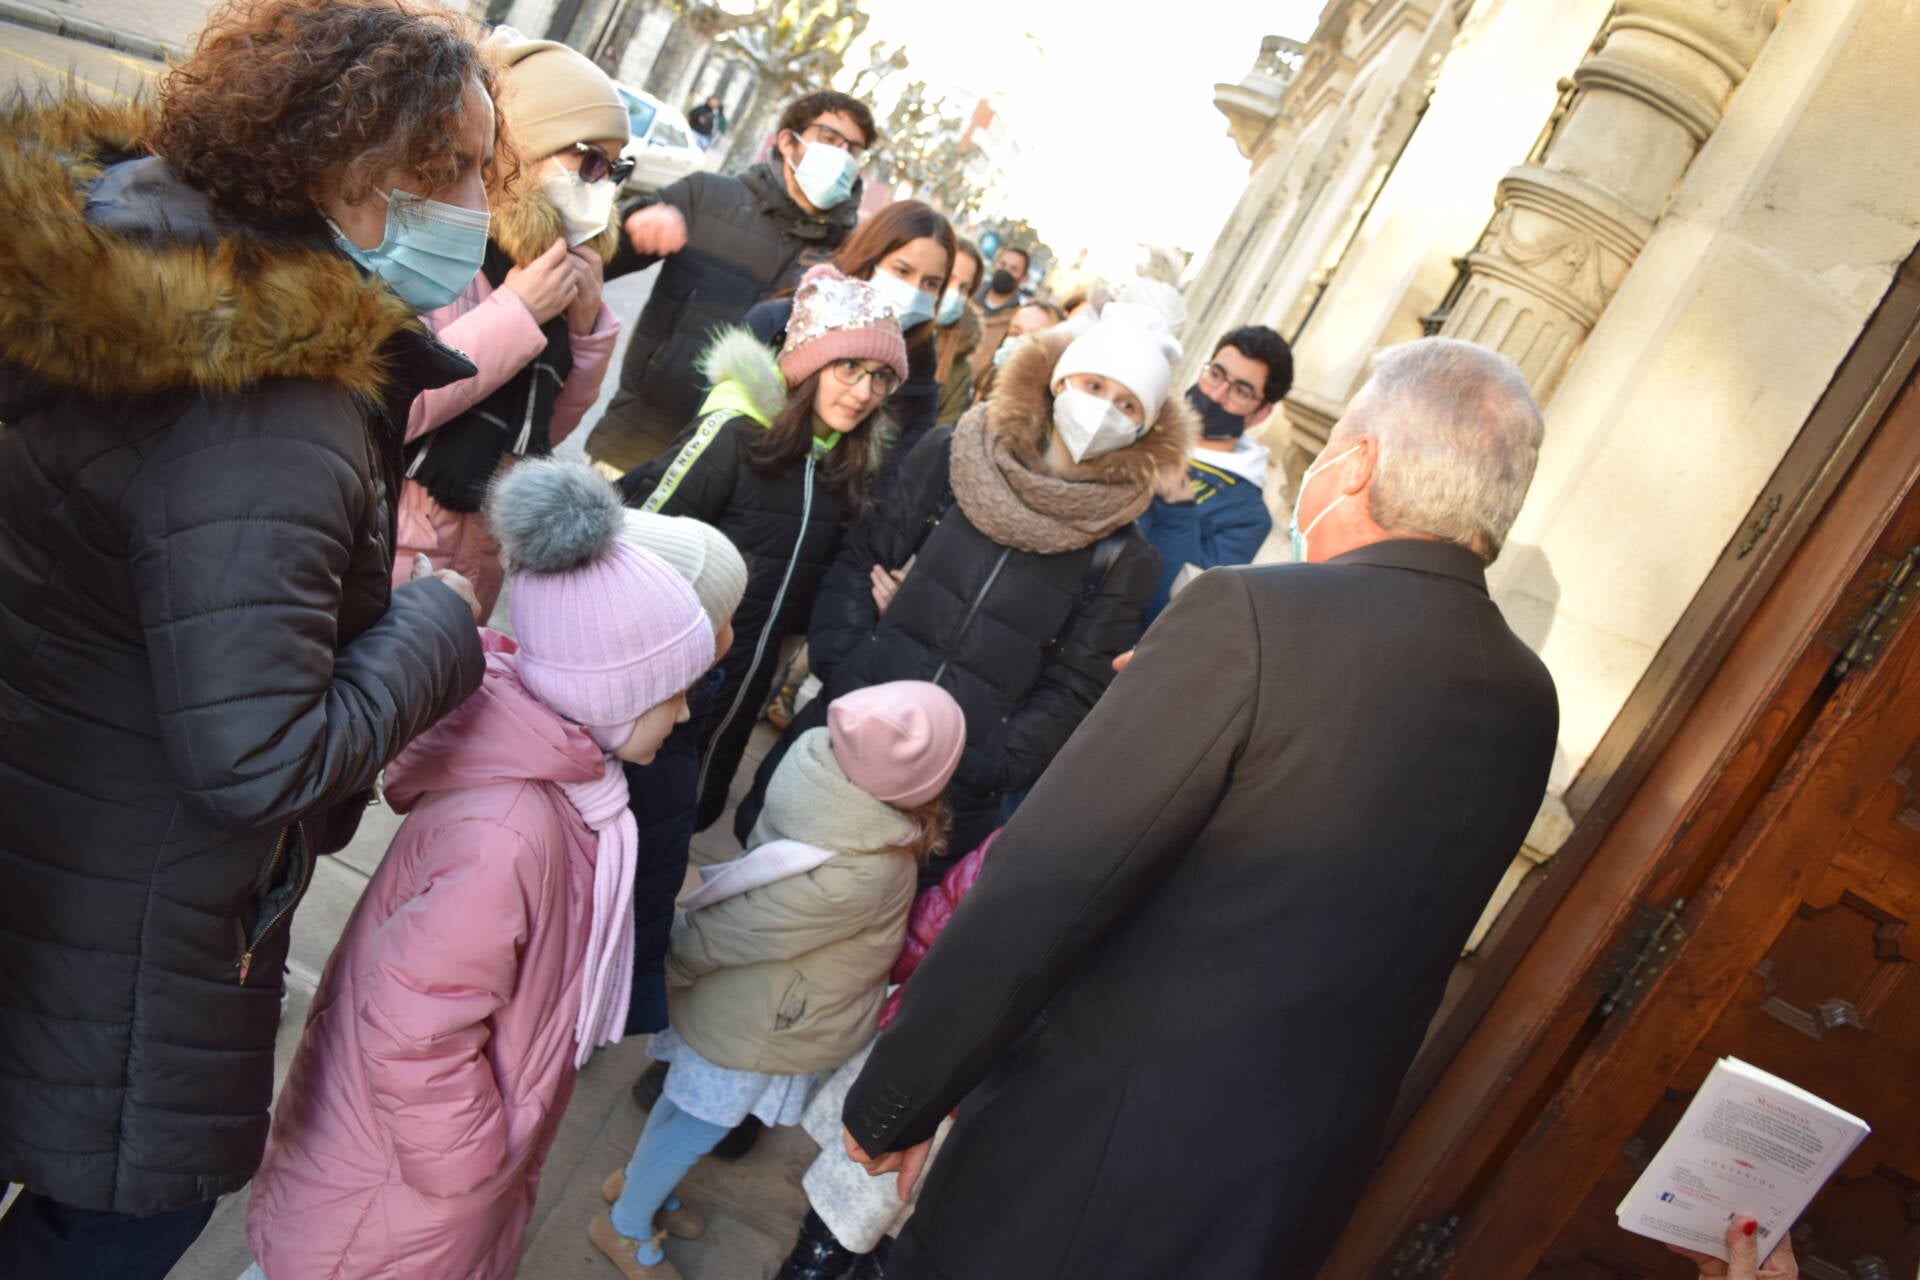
199	657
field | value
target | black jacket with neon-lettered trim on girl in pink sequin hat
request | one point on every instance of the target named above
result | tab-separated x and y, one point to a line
786	527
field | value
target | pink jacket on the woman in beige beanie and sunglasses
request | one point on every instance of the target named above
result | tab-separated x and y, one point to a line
500	335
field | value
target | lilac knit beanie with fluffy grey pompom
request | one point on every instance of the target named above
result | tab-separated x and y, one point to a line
608	632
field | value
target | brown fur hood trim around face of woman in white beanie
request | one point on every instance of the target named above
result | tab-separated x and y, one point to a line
1020	412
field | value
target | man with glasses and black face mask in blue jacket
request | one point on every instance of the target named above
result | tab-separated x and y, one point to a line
1220	513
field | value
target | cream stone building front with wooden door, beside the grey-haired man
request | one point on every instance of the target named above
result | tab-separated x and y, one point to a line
1692	225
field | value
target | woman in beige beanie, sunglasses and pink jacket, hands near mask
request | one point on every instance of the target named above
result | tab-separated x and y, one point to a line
533	321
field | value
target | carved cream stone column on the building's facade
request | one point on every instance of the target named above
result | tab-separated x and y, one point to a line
1570	224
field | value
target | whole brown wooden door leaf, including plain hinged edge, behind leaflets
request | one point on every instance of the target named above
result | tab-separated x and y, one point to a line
1802	962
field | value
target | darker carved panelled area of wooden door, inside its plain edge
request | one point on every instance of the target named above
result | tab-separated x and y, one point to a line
1835	1007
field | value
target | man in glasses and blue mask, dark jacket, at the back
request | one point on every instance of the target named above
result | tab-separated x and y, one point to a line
727	243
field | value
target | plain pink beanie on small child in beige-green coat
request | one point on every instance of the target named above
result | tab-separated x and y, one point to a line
898	742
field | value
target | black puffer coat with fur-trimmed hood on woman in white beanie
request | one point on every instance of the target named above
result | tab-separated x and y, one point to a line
1024	642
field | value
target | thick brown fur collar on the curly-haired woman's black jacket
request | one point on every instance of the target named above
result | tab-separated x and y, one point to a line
108	314
